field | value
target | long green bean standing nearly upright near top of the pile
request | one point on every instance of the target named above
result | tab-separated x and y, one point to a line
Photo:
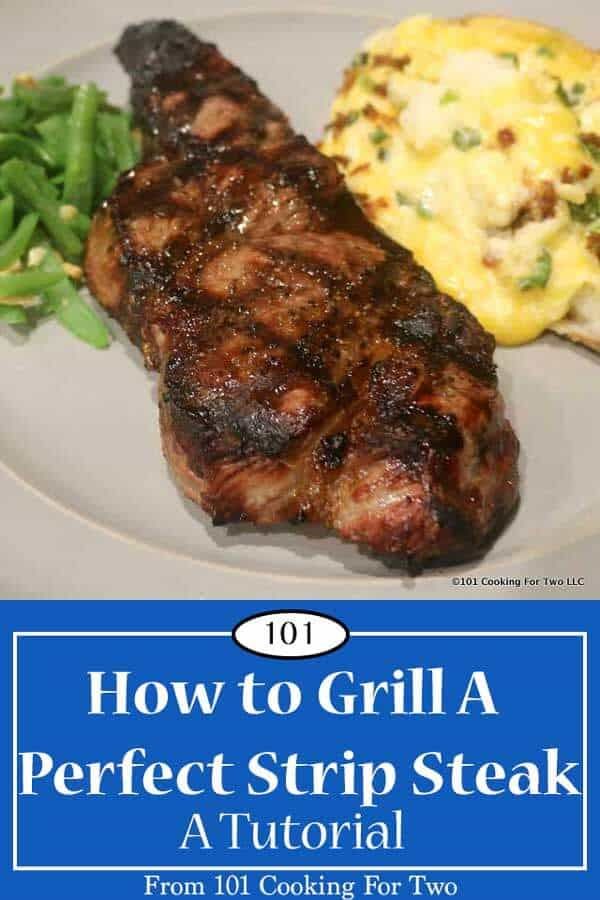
79	170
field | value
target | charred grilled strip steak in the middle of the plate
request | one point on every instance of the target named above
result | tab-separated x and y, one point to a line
309	369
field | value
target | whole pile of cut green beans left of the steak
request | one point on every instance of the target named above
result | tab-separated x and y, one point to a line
62	149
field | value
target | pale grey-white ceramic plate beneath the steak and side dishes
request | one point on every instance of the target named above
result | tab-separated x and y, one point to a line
79	427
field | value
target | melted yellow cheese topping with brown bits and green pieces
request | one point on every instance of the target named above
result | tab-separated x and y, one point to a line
473	143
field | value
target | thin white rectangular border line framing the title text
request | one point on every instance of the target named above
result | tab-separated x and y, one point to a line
583	635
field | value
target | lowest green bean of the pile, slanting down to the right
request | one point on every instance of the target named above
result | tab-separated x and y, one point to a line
71	309
